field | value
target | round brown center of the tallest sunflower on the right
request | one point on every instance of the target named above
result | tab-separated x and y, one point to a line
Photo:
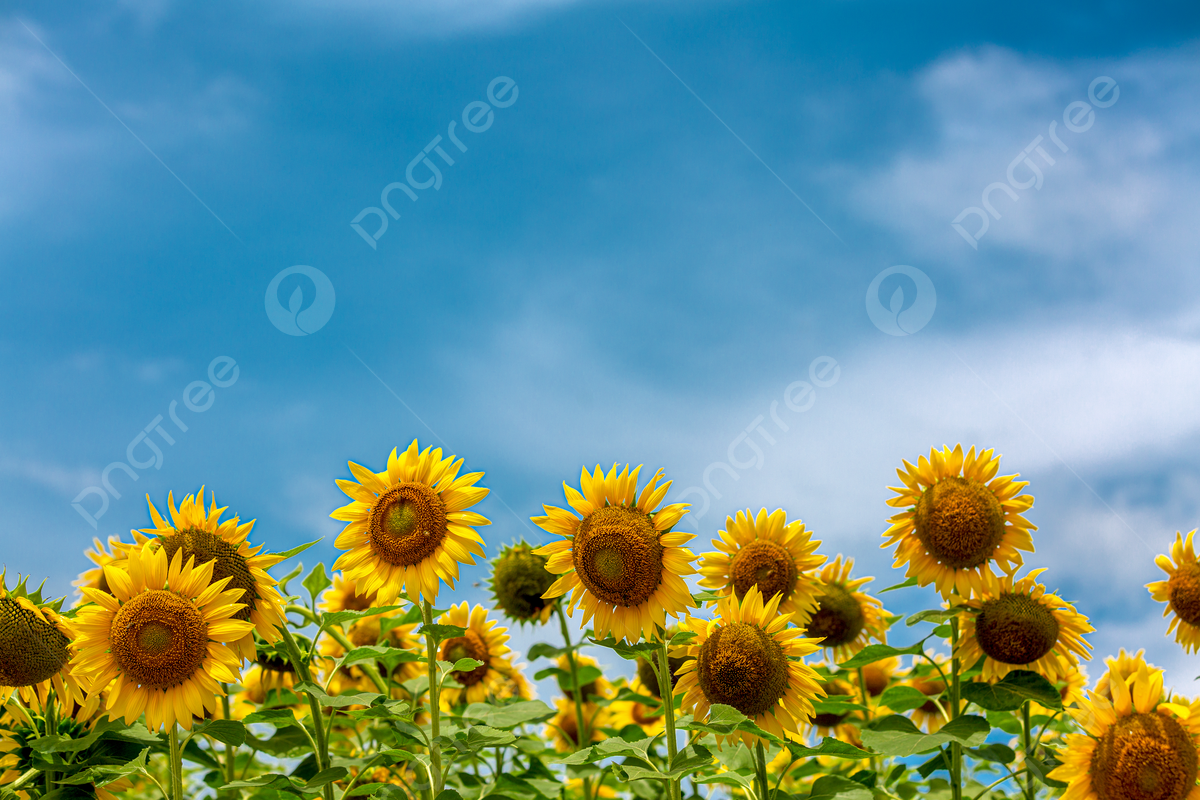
961	522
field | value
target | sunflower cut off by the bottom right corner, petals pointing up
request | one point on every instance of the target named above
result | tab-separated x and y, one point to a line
1136	748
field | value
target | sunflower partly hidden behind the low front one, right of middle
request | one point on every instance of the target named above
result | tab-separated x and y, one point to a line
771	554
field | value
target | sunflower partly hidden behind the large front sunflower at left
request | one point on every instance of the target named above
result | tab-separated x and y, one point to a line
197	533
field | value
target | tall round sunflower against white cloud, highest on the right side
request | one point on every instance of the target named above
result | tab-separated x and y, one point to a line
959	519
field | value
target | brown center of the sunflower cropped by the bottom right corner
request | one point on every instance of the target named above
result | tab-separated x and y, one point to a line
1144	757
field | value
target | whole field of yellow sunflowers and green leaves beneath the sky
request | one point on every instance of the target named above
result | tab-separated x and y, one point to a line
760	670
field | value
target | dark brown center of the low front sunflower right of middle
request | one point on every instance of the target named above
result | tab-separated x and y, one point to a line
742	666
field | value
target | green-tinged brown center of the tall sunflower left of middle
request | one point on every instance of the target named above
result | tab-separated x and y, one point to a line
407	525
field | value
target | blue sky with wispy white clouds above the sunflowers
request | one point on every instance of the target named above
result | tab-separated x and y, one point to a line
620	268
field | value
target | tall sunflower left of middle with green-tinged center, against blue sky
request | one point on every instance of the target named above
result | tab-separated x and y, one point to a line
409	527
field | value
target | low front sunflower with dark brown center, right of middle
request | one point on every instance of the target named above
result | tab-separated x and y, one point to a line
749	659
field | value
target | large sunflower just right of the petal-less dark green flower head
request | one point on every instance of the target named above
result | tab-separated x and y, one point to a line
622	562
